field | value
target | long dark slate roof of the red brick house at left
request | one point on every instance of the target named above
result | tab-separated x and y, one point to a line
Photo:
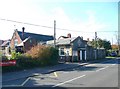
38	37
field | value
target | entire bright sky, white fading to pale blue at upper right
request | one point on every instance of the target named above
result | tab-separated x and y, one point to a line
78	17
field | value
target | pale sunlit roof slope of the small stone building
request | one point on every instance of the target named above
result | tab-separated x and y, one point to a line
65	41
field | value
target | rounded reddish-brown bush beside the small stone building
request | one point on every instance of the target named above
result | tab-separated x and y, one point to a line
47	55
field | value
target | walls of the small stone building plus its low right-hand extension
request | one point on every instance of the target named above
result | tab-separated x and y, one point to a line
80	51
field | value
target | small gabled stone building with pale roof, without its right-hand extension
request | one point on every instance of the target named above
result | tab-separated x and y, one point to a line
70	48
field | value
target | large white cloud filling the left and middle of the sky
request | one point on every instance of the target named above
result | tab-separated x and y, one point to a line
26	11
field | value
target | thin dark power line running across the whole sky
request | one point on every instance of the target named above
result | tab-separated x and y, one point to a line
49	26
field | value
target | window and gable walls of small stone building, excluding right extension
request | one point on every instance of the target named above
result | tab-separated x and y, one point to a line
73	49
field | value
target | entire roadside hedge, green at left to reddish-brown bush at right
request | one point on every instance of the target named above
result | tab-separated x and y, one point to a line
38	56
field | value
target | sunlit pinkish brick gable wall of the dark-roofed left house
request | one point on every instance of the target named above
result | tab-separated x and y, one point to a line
15	36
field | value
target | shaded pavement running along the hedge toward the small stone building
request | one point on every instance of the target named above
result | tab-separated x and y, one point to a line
31	72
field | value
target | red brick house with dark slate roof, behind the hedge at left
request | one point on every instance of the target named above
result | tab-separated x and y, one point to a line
23	41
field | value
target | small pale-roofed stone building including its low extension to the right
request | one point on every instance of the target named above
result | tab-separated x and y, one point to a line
75	49
